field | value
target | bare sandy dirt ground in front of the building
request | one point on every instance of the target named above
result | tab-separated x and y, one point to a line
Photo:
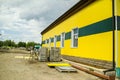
14	68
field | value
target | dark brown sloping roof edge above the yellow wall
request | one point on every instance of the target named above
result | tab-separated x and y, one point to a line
77	7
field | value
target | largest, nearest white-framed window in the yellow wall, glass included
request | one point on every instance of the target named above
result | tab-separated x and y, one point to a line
75	37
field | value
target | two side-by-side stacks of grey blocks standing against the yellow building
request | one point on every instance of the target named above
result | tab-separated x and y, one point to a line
52	54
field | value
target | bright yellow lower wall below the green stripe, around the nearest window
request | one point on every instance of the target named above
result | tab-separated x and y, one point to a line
98	46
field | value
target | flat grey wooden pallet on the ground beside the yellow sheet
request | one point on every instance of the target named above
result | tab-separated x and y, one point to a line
68	69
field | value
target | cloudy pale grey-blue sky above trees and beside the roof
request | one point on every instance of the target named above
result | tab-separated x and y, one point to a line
24	20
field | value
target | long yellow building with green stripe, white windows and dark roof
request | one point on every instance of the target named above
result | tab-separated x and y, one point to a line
88	33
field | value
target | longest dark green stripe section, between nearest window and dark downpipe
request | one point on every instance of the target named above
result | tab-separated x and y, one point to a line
99	27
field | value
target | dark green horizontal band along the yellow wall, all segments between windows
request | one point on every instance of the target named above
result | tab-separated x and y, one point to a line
96	28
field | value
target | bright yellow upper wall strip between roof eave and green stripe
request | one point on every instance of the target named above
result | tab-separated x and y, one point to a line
94	12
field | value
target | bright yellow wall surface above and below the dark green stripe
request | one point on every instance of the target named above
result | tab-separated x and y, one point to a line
97	46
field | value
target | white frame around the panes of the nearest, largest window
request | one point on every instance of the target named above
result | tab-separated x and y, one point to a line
73	36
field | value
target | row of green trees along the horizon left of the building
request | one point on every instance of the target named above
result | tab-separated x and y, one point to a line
10	43
